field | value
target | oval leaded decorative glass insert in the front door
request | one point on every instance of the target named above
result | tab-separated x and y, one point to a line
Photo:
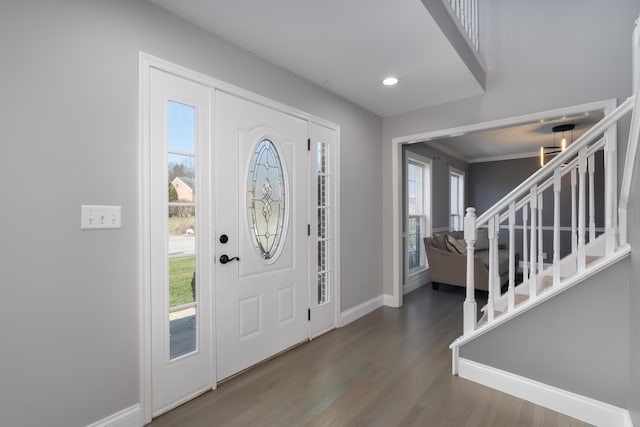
266	199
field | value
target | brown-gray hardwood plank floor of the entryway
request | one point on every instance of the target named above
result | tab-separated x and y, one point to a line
389	368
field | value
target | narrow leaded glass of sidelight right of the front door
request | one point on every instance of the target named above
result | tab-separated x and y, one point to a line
324	209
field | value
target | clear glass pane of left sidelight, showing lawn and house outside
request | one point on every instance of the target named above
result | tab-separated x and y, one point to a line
181	212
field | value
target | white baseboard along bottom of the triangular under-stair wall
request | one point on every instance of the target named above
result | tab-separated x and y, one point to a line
574	405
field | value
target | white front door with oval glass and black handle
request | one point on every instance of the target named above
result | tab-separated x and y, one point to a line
261	217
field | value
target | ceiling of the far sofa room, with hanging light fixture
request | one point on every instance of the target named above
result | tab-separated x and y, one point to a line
519	141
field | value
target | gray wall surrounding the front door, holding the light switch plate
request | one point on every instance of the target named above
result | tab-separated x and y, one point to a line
69	120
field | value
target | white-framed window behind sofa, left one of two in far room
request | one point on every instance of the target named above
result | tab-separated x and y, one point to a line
418	175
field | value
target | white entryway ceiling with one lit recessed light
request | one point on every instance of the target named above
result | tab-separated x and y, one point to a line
345	46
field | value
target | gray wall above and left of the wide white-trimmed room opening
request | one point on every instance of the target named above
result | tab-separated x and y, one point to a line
540	55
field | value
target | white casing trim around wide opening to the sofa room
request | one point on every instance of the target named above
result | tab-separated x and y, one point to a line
607	106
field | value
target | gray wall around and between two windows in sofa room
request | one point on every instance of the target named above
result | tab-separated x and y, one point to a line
440	181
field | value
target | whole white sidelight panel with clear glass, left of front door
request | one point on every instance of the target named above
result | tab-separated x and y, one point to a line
180	246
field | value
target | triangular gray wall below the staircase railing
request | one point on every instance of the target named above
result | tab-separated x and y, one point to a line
577	341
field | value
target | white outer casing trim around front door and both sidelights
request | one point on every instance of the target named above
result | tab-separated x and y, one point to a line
145	63
